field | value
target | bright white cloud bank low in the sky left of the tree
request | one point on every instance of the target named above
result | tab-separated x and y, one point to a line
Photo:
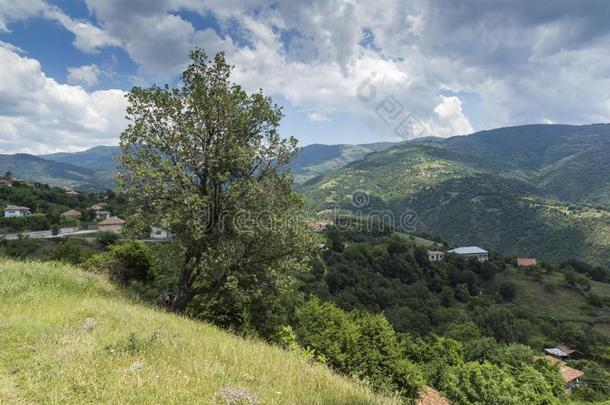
39	115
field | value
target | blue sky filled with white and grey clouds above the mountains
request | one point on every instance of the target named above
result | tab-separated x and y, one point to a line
344	71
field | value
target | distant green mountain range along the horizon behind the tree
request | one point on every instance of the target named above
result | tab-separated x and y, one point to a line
534	190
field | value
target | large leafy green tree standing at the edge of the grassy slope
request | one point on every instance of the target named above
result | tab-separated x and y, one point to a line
204	160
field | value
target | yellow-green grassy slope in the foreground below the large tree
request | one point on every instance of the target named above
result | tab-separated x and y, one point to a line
135	354
